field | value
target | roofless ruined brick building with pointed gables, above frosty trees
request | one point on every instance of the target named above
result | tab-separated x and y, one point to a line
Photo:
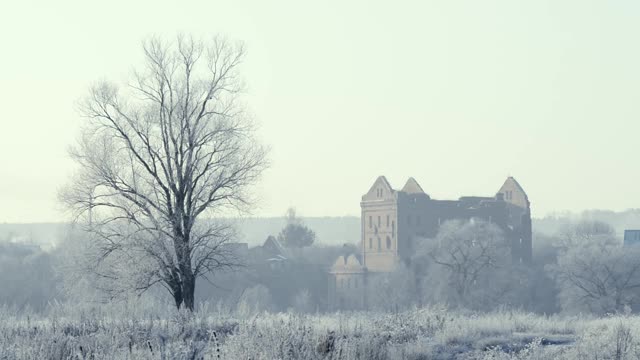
393	221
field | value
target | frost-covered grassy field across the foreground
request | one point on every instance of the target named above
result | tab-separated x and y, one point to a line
133	332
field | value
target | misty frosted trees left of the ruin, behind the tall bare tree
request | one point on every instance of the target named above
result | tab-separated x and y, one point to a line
33	278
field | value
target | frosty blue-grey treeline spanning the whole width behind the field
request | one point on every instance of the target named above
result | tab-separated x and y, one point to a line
579	265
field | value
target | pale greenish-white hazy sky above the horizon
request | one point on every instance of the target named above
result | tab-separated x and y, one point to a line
458	94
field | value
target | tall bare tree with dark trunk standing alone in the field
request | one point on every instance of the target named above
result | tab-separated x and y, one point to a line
160	160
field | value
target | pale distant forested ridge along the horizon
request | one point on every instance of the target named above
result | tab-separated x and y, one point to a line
329	230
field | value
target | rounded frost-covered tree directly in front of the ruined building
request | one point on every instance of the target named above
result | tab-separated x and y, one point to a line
468	264
